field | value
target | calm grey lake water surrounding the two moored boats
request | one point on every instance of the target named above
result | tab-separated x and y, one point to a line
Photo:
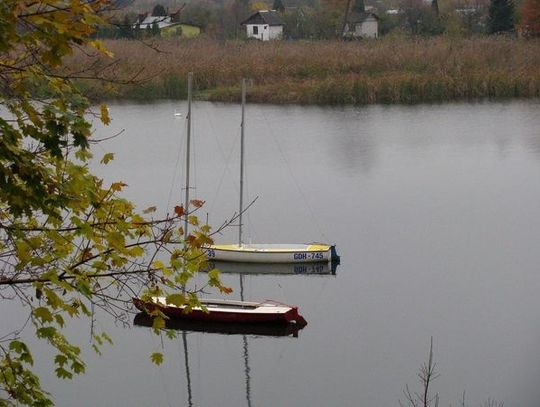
435	212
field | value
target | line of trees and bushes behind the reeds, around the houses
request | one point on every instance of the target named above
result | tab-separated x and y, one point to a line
323	19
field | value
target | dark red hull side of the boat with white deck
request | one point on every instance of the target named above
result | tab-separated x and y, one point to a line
290	316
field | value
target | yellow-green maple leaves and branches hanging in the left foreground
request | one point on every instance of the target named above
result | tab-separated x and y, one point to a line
69	243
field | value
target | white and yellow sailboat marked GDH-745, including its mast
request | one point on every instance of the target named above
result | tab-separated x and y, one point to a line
267	252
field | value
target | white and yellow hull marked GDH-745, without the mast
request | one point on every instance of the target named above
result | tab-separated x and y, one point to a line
272	253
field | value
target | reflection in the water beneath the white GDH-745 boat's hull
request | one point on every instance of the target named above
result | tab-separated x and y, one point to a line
325	268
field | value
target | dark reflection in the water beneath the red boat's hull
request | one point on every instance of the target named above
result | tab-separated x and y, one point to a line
224	328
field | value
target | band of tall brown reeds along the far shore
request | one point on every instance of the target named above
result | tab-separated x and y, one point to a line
391	70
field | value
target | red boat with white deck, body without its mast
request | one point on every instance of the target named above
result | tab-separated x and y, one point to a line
226	311
